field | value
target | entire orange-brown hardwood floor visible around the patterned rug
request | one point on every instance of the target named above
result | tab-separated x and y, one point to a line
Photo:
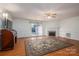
19	49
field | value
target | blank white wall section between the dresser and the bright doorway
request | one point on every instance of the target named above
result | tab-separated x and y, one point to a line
22	27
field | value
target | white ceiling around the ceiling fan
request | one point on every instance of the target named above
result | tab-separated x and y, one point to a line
35	11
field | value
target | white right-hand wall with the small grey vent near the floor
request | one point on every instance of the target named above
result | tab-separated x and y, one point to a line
70	25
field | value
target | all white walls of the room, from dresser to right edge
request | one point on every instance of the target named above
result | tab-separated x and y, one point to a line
71	25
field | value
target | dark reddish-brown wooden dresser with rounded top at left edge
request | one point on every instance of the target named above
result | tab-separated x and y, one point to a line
7	39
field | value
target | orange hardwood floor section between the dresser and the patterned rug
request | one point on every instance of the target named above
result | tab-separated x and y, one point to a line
19	49
